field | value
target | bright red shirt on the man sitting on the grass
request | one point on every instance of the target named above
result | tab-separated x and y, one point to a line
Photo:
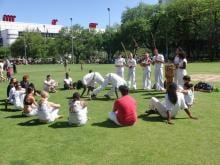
125	109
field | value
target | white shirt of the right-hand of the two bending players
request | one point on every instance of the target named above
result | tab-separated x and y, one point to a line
115	79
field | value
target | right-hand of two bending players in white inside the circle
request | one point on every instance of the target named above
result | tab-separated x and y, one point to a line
114	80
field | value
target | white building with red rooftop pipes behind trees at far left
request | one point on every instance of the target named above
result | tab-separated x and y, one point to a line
11	30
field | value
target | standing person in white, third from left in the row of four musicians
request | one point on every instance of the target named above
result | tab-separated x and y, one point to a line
146	71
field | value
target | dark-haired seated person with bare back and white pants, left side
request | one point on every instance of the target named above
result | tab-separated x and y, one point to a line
30	104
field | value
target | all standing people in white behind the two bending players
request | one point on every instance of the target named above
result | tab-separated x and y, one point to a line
158	61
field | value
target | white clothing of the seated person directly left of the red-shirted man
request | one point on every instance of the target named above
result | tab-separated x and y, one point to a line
77	114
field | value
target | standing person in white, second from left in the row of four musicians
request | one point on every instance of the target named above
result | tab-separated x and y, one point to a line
131	64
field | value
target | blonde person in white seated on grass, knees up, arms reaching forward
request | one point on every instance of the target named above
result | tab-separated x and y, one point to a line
47	111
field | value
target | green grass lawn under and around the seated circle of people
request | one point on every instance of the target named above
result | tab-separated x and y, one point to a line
150	141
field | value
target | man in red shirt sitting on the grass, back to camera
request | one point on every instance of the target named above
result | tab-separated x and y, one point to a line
124	110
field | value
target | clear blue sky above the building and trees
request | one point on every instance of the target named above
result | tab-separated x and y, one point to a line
82	11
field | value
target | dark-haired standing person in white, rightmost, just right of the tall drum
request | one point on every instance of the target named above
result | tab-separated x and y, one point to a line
181	71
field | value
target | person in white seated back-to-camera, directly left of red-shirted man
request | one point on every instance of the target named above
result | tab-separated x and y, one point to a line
77	111
